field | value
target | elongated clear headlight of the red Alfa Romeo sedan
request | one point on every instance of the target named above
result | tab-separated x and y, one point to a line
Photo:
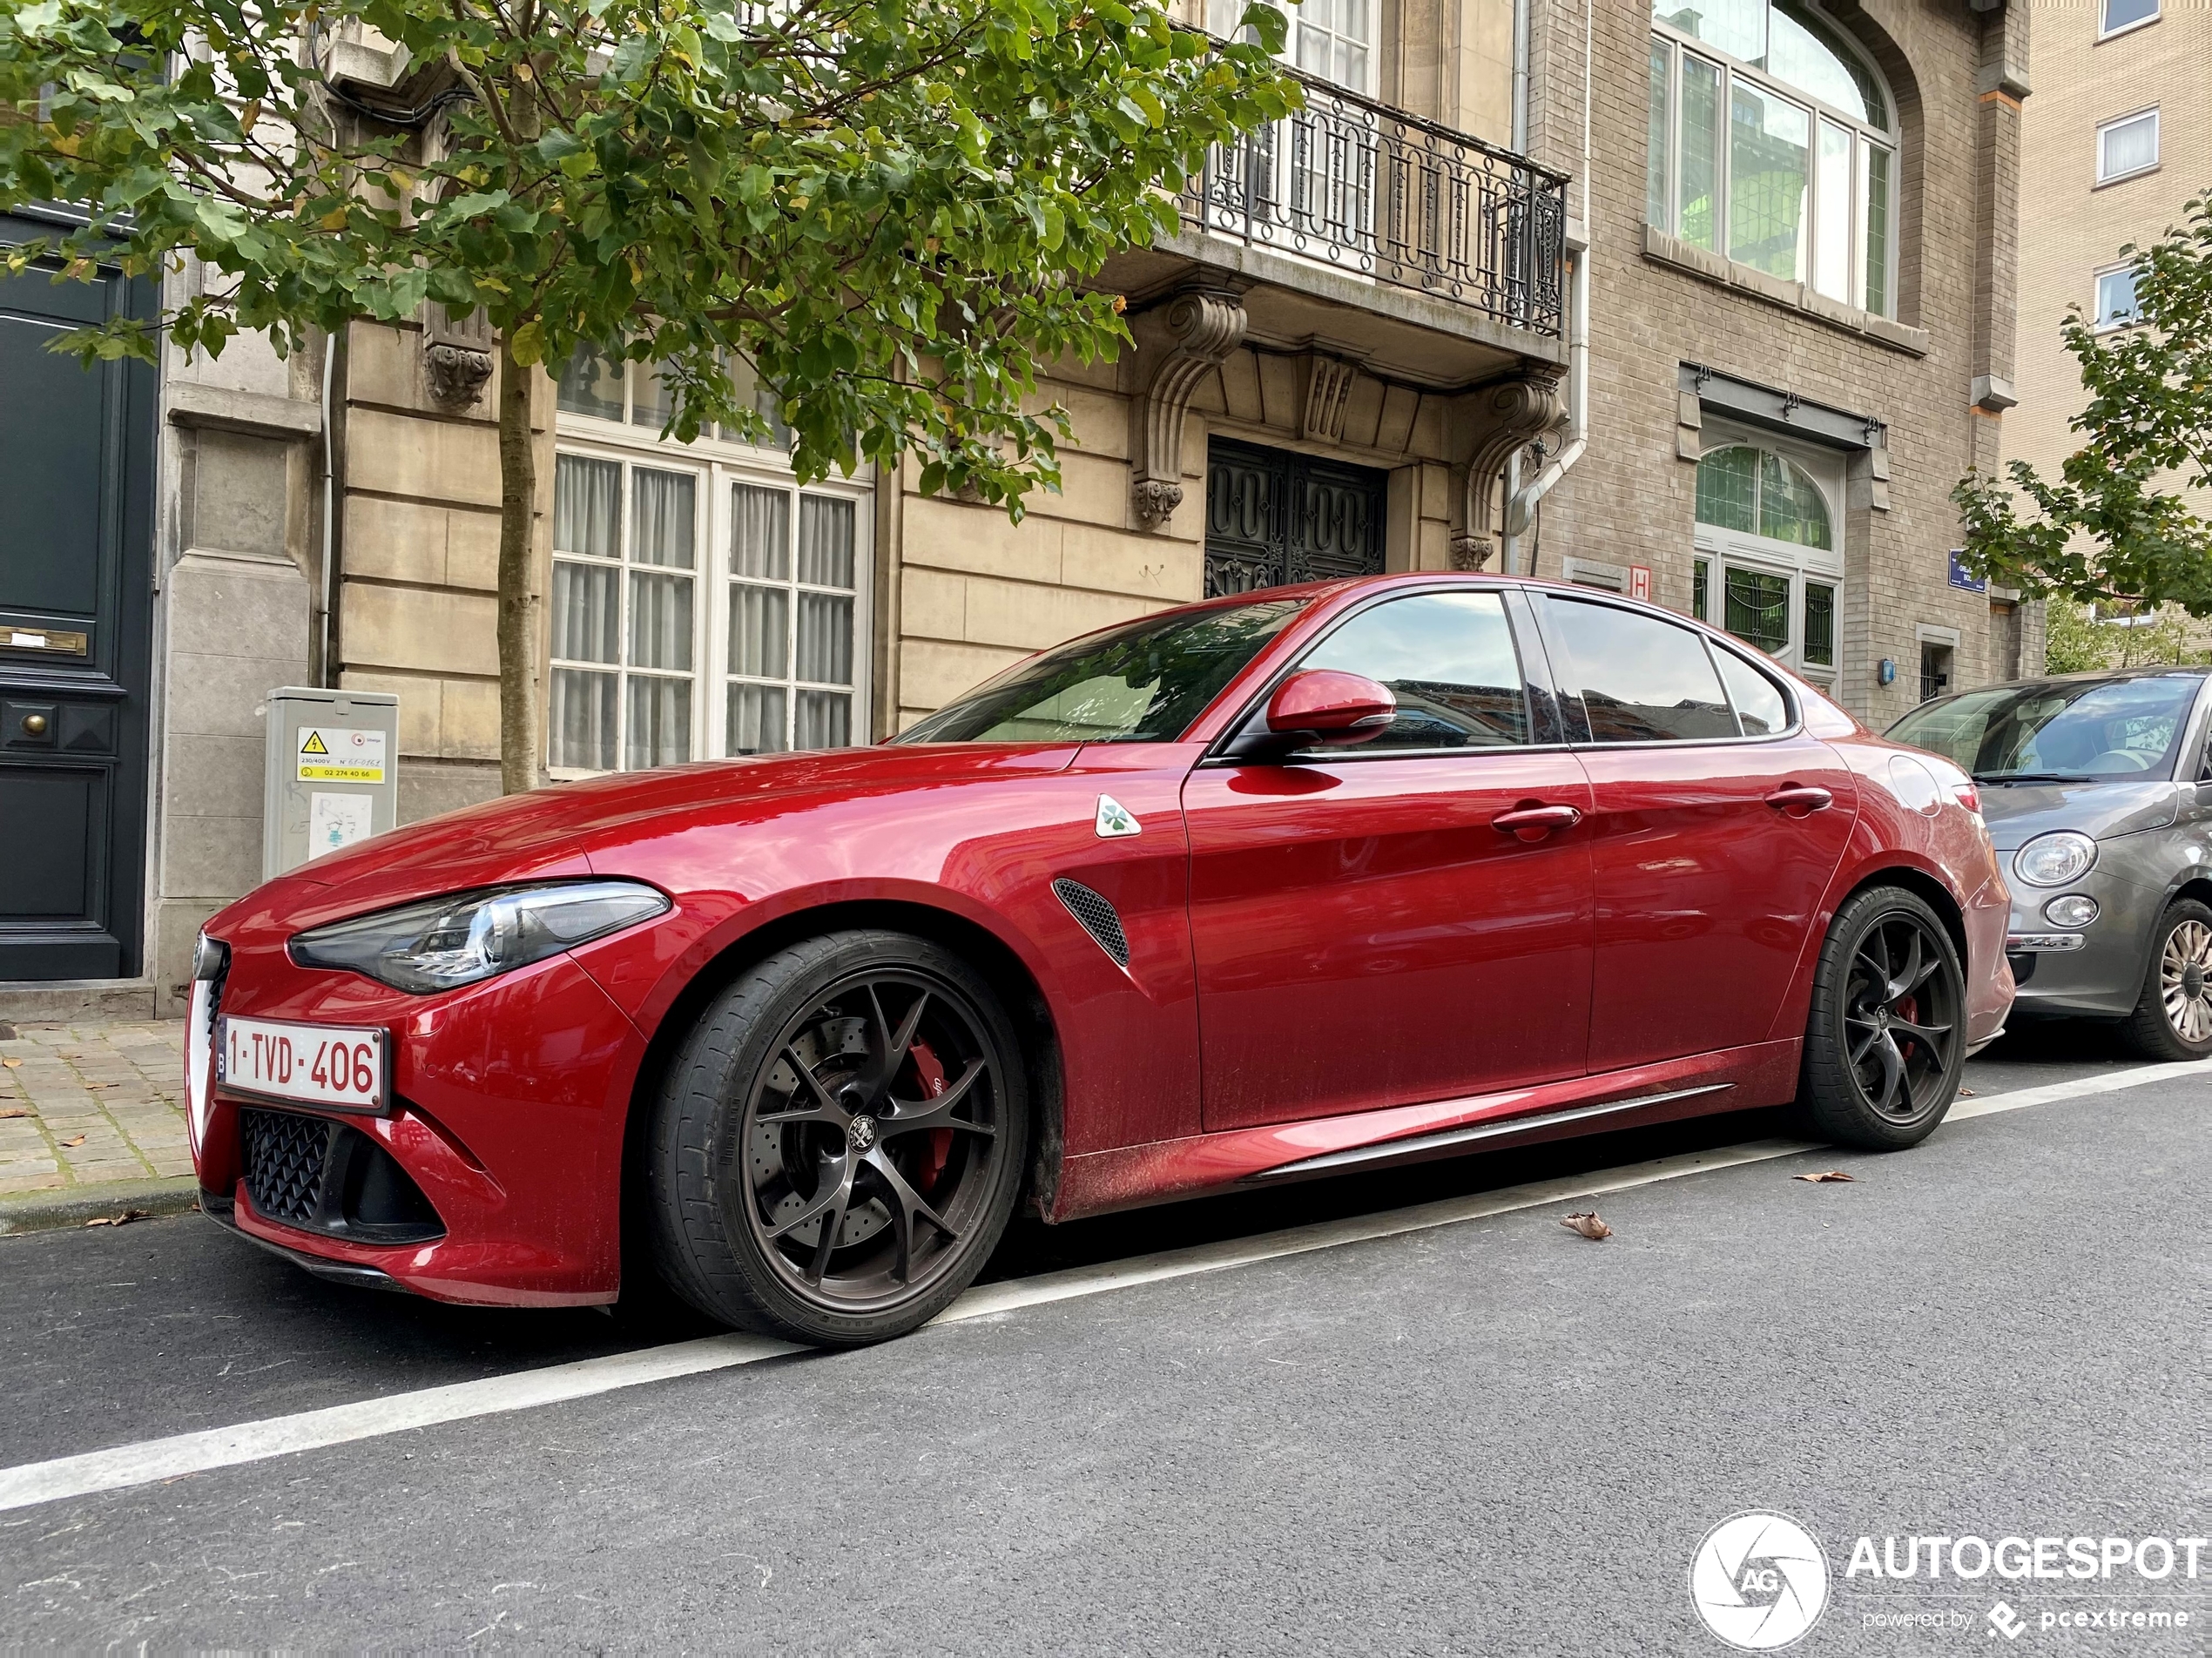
463	938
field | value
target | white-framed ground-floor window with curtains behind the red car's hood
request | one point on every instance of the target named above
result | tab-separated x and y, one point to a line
705	605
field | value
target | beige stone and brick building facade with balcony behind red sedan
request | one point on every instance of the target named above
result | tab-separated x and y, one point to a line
1452	317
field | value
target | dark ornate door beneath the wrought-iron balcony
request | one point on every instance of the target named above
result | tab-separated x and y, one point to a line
1275	518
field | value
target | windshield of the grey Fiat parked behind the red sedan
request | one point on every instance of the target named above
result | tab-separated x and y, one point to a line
2065	731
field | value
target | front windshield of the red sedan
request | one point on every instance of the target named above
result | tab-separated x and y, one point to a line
1138	684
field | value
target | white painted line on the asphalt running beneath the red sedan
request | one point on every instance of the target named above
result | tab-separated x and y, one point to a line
191	1454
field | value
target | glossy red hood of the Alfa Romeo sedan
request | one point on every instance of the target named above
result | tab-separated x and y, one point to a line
556	830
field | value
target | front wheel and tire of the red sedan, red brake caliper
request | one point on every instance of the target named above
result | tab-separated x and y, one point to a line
839	1142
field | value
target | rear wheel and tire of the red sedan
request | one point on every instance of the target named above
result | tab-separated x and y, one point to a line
1888	967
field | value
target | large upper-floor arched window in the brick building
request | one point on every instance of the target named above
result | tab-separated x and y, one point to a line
1773	143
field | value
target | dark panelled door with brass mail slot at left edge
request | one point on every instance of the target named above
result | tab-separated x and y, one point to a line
76	596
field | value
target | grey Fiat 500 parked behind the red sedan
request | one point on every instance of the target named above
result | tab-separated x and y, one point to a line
2098	793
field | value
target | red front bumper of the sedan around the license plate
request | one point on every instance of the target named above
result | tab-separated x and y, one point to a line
510	1106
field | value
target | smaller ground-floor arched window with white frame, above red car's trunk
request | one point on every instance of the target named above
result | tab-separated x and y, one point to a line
1768	563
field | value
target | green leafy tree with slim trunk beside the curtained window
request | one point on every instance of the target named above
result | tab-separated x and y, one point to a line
888	209
